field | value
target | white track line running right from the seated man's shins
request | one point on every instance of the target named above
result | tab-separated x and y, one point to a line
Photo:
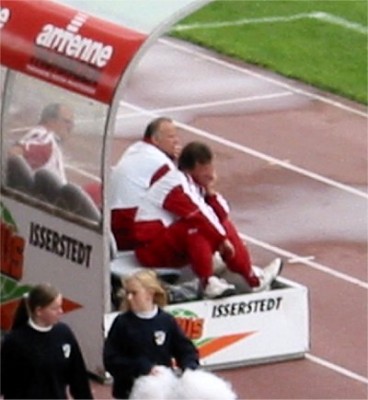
306	261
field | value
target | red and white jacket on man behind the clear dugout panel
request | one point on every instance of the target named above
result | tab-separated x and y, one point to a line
41	150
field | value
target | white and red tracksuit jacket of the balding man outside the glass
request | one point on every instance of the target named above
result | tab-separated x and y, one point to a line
140	165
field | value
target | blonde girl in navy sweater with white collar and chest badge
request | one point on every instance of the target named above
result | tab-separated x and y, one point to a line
145	338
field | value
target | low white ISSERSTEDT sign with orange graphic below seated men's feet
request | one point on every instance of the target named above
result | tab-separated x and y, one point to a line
249	327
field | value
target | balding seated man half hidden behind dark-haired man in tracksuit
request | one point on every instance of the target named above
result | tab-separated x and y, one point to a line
140	165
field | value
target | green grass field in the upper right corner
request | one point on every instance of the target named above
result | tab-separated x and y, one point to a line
326	55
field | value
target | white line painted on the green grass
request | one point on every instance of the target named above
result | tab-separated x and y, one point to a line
318	15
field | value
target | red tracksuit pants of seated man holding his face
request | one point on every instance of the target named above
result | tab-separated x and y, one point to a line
180	244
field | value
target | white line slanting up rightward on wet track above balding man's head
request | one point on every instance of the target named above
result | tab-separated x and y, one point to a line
213	103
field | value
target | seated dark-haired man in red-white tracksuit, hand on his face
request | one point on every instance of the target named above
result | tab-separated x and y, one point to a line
182	220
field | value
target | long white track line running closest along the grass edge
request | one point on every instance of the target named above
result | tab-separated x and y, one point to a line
246	71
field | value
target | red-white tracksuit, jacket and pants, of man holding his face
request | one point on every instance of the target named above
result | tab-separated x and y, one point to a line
176	224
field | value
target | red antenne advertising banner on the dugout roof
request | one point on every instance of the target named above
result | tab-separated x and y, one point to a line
66	47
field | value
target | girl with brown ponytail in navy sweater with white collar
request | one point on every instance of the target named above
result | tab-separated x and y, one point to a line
40	356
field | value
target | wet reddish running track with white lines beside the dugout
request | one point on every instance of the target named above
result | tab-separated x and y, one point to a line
260	126
